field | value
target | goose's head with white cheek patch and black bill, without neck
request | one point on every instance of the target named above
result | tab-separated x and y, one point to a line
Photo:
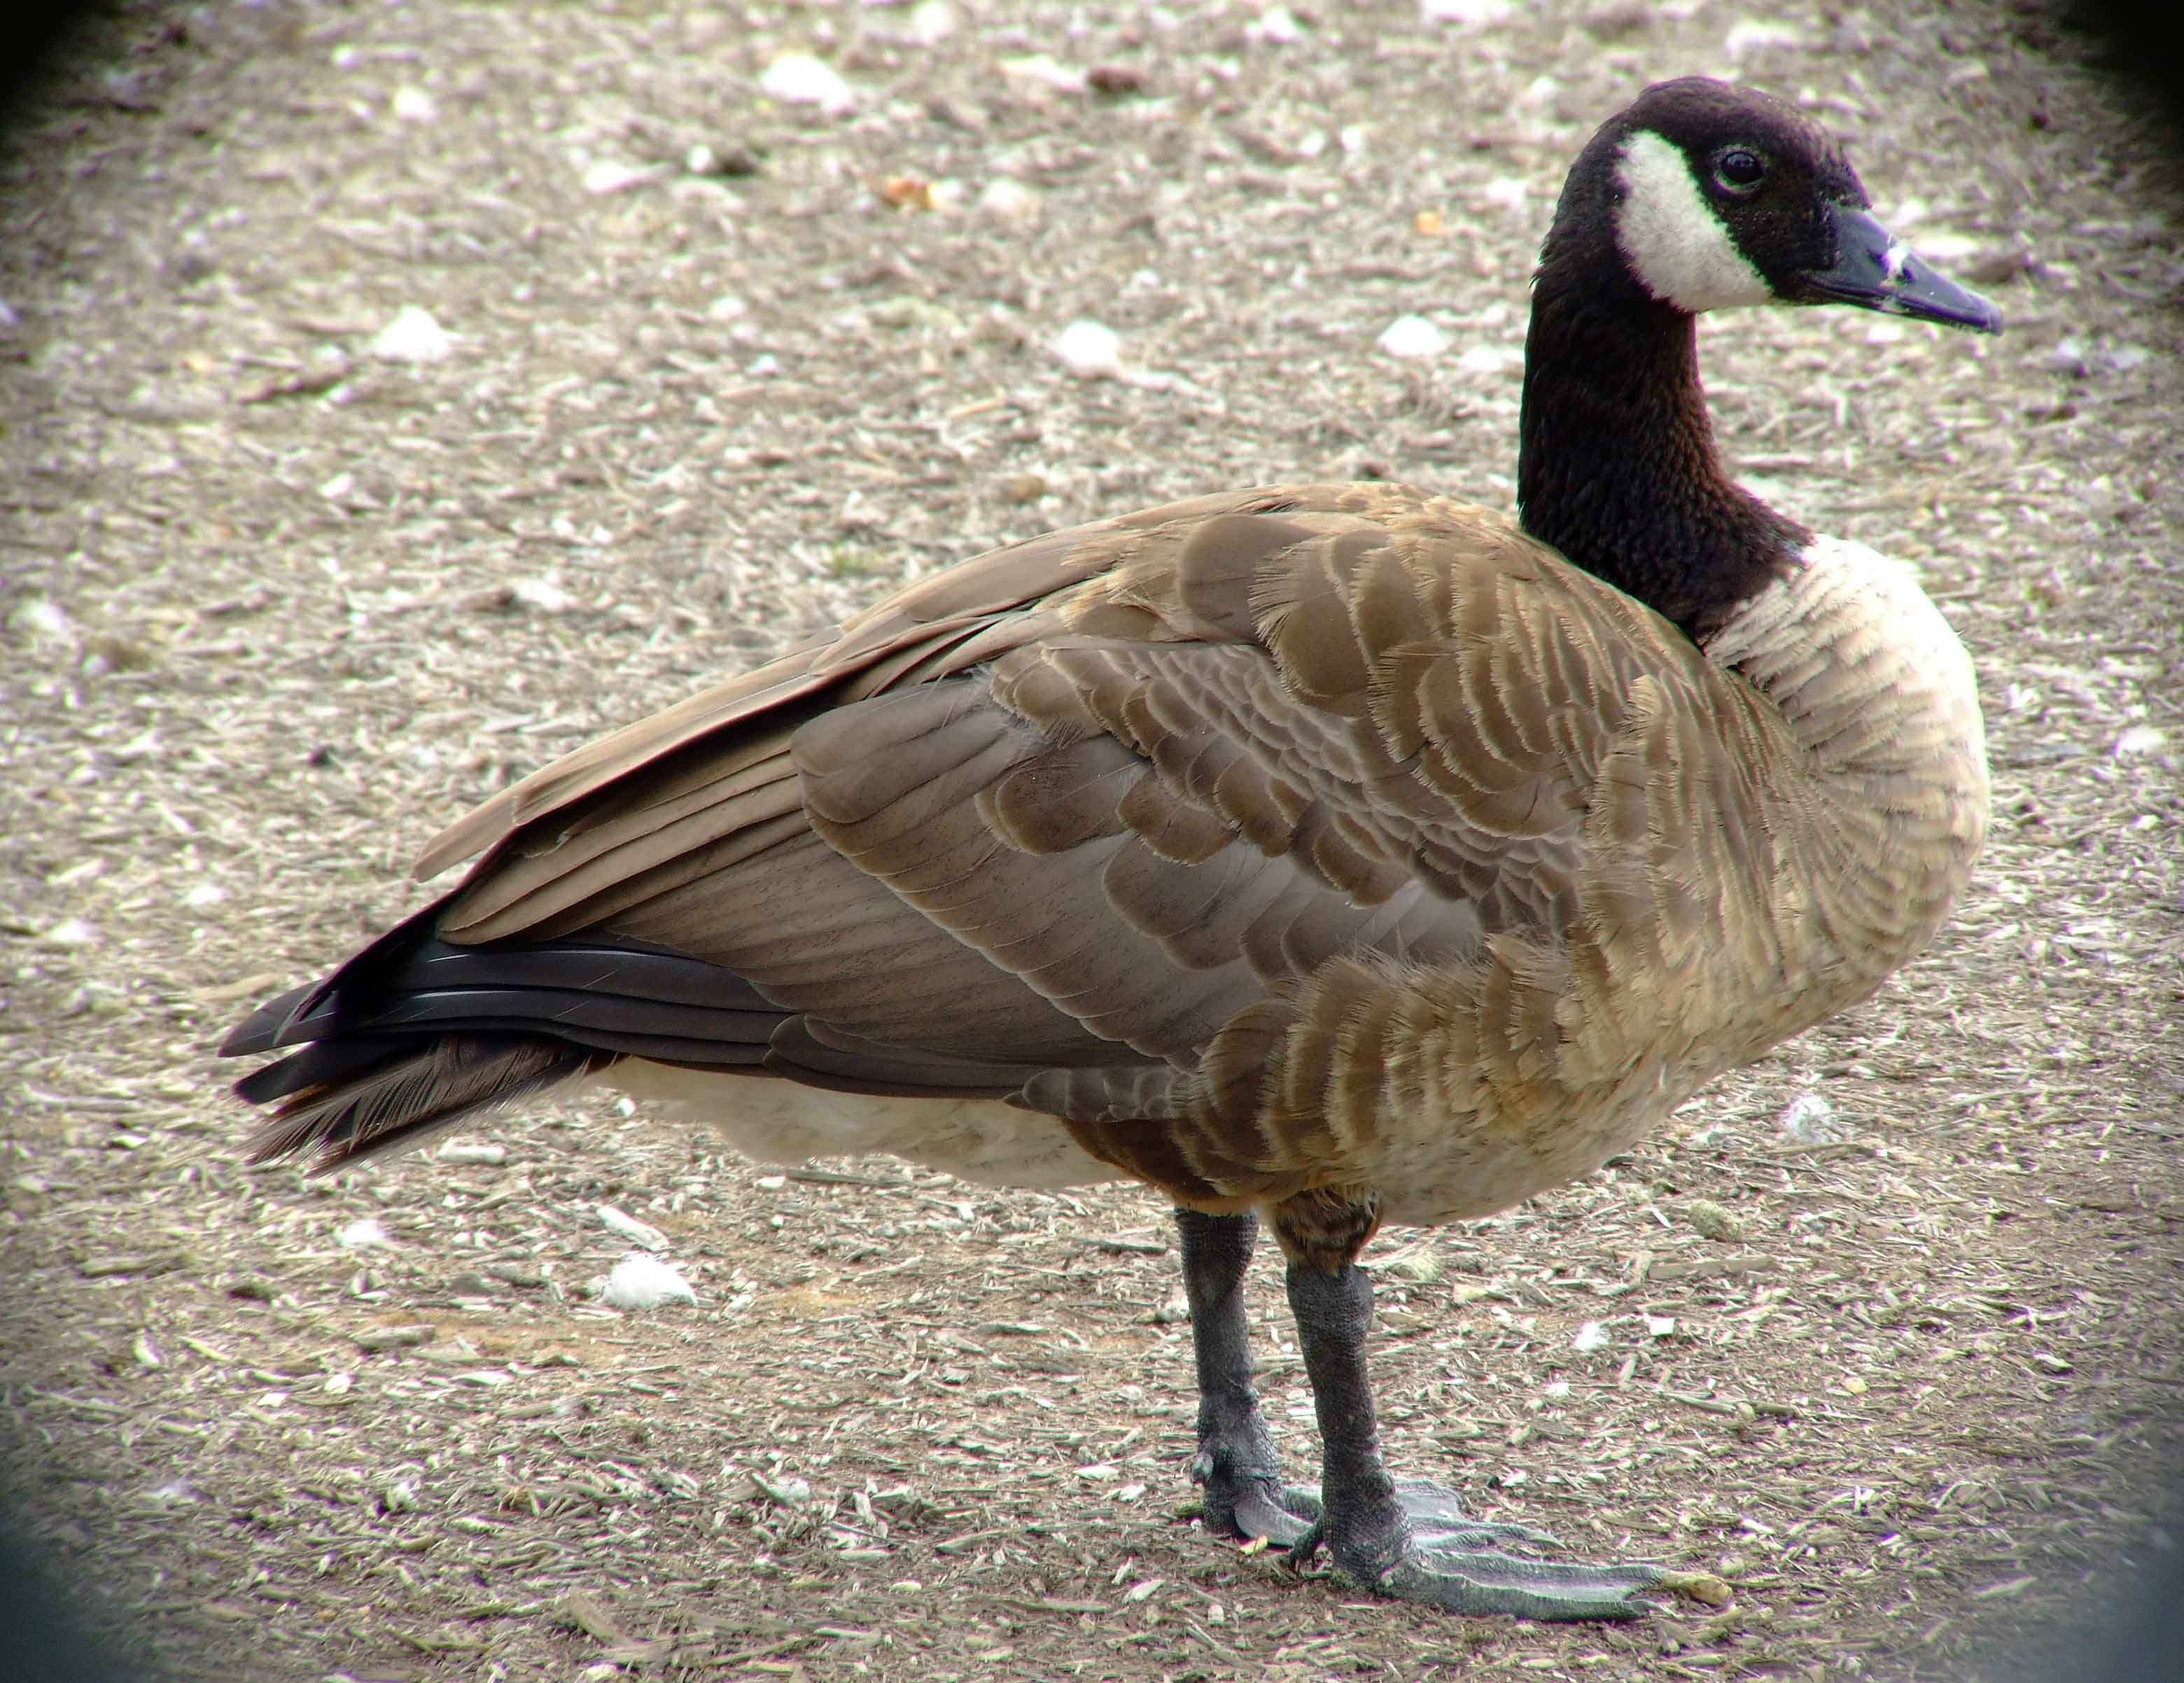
1722	198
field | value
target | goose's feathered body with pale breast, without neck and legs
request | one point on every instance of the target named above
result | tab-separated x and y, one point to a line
1329	844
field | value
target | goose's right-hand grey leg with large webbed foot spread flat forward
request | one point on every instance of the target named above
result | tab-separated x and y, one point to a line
1410	1540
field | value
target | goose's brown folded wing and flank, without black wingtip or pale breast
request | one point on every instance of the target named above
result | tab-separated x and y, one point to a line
1257	822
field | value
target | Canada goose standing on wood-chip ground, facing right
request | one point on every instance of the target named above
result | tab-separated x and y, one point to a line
1329	855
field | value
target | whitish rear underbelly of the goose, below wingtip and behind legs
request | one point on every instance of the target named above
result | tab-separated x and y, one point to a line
783	1123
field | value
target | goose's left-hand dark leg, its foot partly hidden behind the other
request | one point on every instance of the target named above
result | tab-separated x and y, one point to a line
1237	1461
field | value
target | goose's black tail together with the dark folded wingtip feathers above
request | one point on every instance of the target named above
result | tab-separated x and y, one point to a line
416	1034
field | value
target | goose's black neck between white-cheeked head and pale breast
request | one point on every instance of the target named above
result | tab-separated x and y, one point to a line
1617	464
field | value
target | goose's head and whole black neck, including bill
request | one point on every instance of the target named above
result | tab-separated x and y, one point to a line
1696	198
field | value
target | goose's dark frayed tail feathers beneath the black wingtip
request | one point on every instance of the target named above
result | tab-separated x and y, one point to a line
348	1101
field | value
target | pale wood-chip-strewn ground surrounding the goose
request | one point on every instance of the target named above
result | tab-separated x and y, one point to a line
281	604
